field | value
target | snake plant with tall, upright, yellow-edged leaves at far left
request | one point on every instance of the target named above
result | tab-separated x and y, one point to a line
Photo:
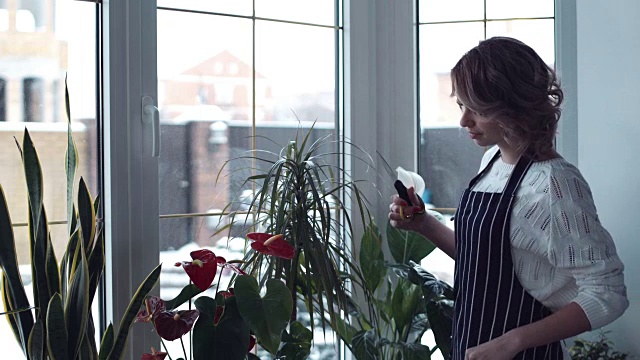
59	324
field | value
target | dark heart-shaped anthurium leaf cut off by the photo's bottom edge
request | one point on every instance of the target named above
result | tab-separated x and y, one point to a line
227	340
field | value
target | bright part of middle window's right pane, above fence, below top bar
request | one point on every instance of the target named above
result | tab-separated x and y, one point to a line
297	74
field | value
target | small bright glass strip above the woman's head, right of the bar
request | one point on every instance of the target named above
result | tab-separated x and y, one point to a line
503	9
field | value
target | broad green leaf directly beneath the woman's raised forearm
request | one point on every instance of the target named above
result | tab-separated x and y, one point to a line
407	246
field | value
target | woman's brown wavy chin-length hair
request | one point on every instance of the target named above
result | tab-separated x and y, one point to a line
506	81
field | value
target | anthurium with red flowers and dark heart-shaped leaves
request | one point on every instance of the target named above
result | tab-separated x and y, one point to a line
229	325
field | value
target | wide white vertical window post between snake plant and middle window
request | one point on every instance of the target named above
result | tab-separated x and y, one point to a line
130	172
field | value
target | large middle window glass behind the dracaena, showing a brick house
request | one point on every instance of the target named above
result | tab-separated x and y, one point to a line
267	76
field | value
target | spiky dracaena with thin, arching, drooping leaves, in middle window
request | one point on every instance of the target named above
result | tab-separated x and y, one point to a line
298	194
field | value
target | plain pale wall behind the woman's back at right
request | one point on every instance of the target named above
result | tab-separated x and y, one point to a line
607	144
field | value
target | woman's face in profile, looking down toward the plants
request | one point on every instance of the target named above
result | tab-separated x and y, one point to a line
482	131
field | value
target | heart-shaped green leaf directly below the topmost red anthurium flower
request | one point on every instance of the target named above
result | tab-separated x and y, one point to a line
267	316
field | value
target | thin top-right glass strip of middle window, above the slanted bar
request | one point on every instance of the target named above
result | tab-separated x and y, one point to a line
308	11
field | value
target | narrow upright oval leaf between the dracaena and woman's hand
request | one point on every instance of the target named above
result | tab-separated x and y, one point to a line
371	257
